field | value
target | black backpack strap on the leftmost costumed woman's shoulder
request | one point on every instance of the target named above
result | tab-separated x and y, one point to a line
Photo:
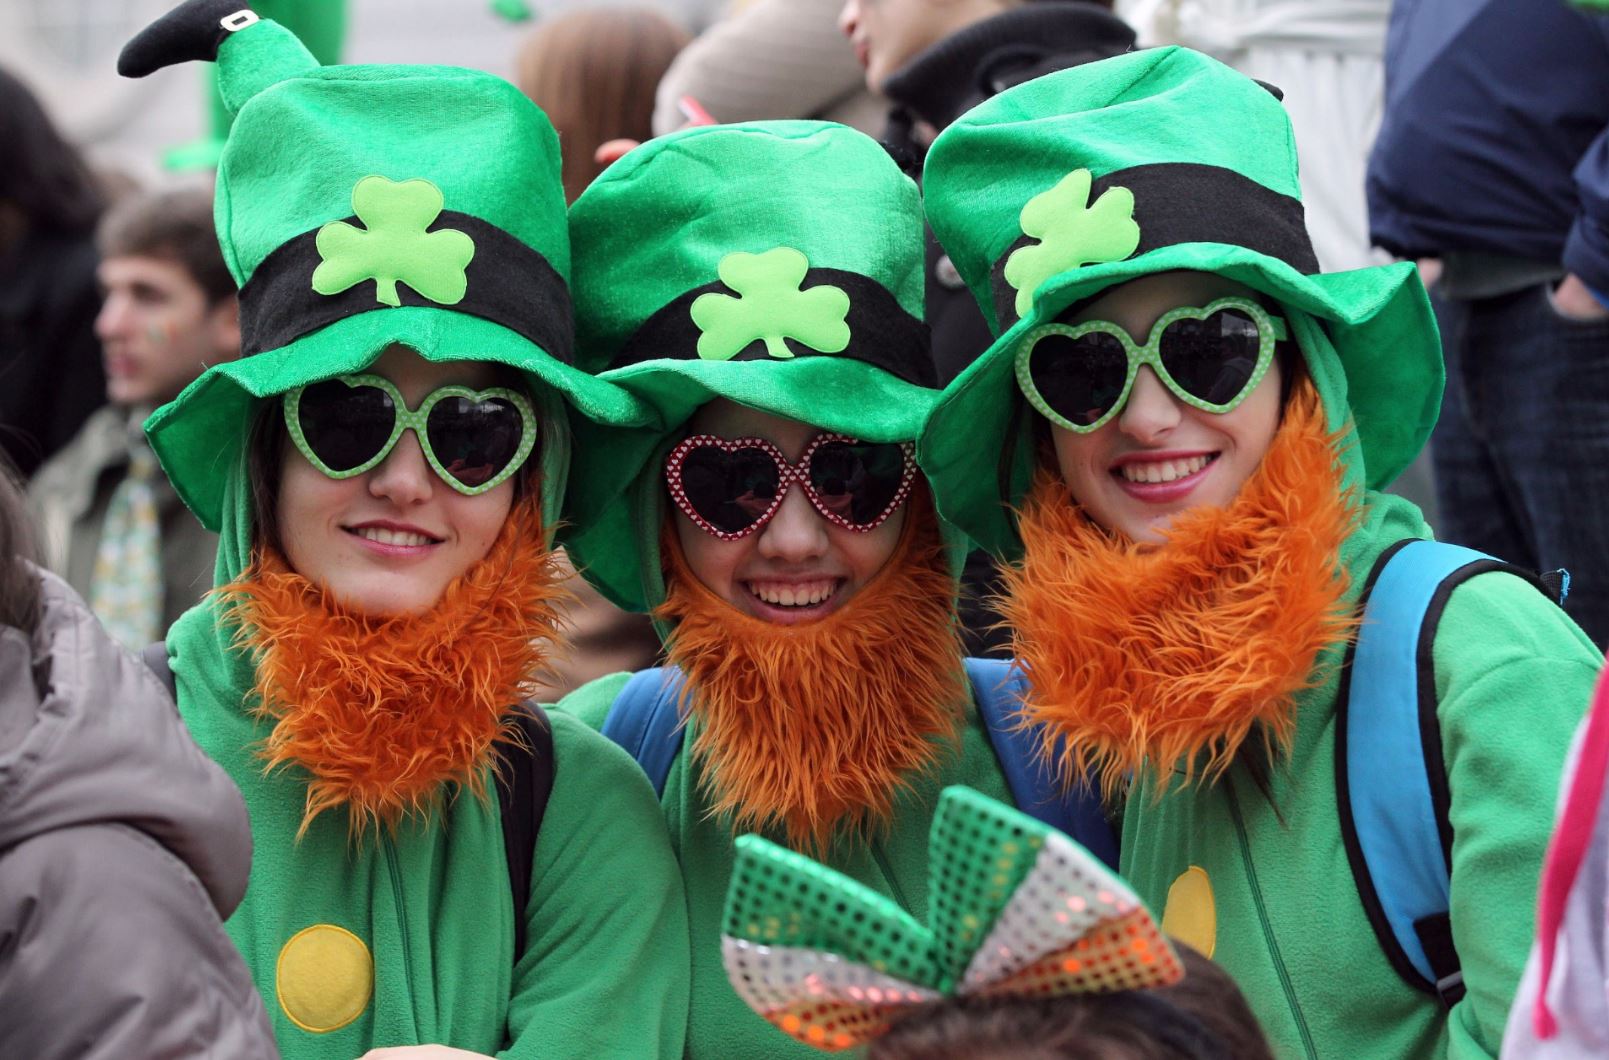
525	783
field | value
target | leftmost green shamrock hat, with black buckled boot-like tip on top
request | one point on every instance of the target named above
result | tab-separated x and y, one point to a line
361	207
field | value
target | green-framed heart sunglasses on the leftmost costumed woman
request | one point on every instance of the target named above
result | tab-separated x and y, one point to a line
474	440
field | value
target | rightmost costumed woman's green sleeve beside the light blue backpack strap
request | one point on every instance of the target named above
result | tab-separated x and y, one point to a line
1513	678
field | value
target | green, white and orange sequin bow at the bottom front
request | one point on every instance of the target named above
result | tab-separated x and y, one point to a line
1018	910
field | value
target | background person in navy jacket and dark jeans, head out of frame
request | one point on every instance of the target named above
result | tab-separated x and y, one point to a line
1492	168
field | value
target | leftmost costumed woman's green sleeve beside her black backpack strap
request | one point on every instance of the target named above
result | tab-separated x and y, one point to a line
607	958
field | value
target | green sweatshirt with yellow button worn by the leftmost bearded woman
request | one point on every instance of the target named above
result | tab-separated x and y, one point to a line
408	939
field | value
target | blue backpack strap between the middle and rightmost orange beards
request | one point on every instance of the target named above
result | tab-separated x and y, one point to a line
998	689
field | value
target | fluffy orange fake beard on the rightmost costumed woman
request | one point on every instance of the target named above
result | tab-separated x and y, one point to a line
1175	654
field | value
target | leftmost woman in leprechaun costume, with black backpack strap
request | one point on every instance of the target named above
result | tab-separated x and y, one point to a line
385	467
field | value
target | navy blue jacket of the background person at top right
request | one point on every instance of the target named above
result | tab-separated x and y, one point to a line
1496	134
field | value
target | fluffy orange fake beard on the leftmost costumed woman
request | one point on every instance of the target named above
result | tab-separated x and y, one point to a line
384	712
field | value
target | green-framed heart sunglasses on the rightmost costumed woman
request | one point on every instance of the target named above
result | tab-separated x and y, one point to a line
1079	377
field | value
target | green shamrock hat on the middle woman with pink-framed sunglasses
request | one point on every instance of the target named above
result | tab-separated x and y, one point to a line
776	265
